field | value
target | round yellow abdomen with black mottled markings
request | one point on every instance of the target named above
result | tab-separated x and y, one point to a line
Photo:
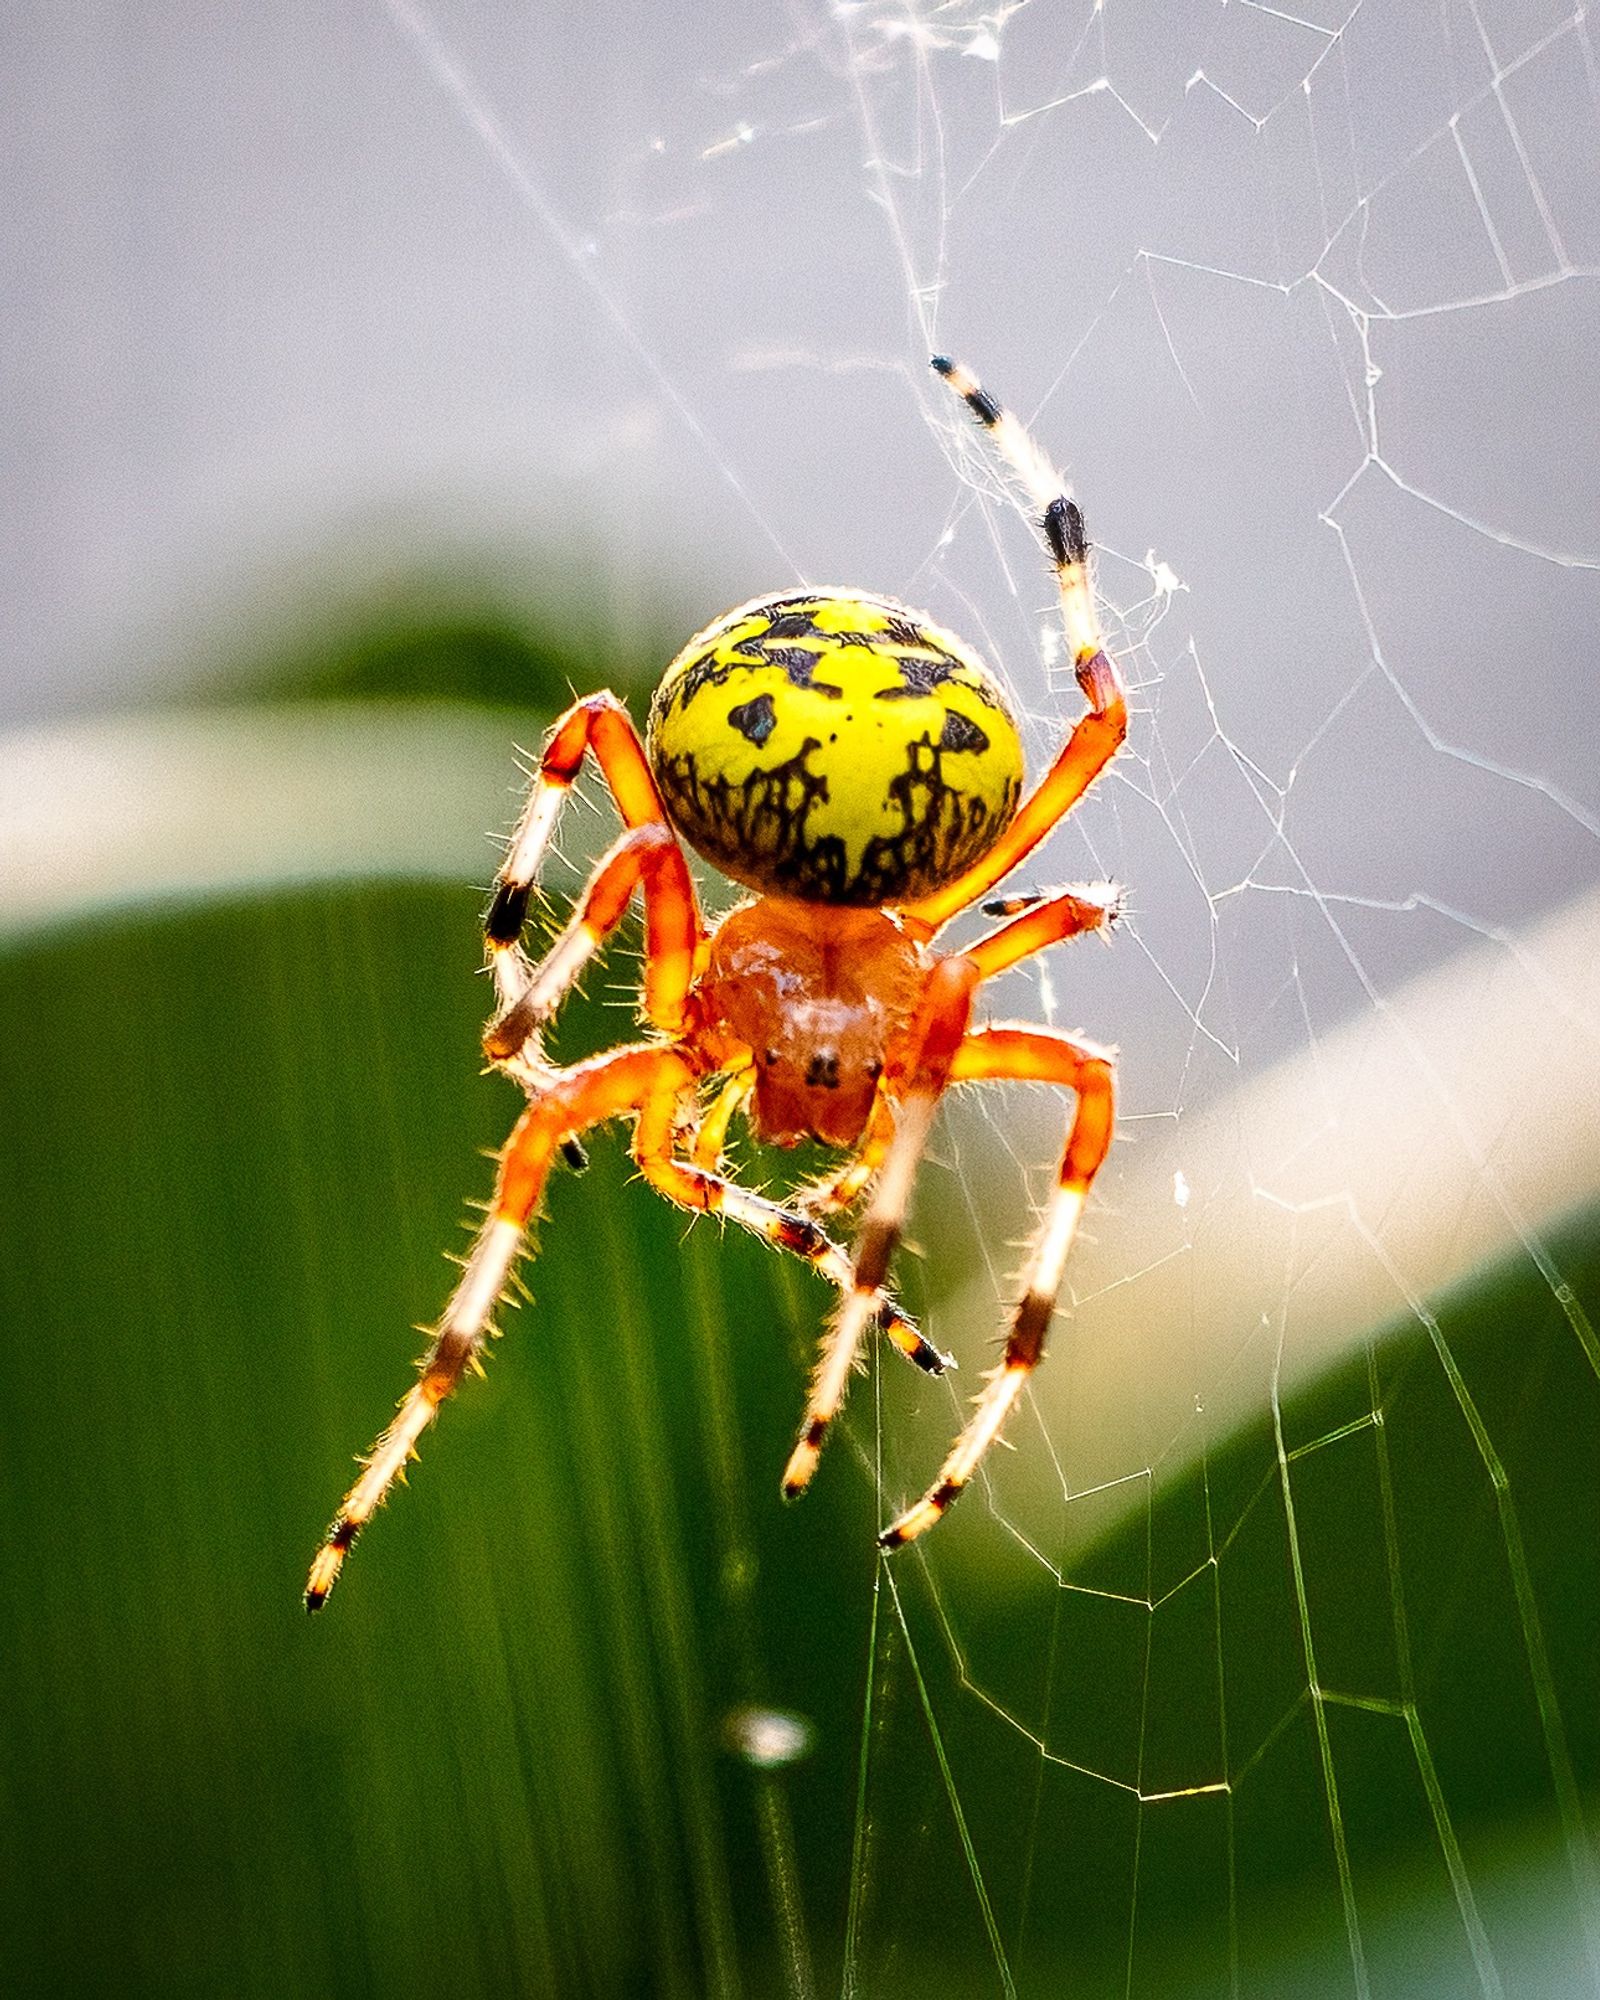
835	749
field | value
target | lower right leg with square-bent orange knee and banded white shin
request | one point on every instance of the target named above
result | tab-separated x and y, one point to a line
1025	1055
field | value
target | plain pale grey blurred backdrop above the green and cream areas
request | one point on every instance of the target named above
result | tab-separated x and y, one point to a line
635	301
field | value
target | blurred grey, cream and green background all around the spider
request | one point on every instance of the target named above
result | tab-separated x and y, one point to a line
381	375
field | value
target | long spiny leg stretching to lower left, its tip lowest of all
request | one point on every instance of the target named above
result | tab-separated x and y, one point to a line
581	1097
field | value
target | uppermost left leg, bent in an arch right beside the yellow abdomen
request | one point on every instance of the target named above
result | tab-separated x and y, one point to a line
601	725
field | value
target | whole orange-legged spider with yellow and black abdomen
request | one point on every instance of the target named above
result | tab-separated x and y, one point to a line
859	769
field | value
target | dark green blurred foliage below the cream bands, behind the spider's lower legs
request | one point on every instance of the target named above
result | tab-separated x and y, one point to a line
239	1141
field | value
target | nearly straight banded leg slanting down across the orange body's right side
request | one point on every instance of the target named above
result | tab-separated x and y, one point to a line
935	1039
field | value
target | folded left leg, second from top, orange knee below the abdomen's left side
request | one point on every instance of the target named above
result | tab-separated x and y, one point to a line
645	855
